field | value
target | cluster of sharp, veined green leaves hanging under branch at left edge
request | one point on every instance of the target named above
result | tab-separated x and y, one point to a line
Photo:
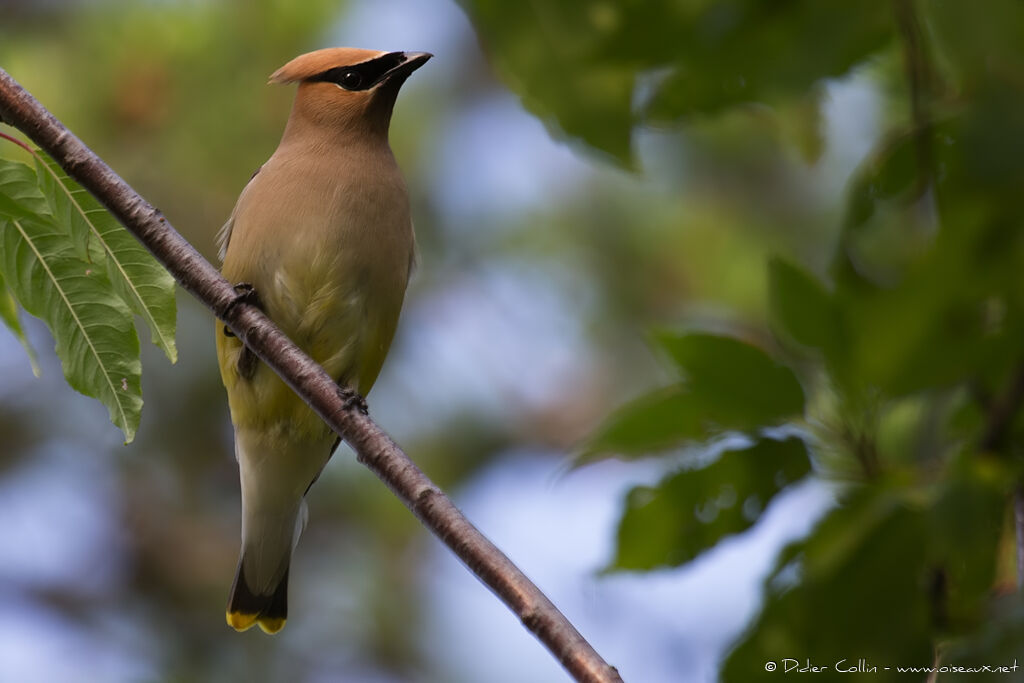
66	261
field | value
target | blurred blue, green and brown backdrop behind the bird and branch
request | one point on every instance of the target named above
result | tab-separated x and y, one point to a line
546	261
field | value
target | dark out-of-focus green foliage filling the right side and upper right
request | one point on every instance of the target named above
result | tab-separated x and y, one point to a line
911	352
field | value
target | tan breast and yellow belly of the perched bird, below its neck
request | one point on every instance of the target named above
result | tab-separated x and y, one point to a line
331	272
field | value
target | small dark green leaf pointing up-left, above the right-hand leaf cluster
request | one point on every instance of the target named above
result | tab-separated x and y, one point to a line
801	308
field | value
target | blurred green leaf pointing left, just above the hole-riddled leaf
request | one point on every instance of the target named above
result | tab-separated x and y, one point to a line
661	420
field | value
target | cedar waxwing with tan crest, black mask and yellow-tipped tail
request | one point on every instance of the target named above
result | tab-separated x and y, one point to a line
322	239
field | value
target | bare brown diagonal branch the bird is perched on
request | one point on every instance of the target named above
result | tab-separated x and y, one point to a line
373	447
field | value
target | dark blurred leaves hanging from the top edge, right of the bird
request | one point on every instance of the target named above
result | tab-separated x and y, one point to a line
582	65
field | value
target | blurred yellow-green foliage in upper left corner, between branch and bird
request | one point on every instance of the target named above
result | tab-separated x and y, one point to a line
170	88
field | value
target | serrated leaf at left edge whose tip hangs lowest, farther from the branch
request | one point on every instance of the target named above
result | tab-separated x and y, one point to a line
93	327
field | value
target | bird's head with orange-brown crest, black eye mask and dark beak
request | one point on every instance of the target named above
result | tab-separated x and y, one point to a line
347	89
